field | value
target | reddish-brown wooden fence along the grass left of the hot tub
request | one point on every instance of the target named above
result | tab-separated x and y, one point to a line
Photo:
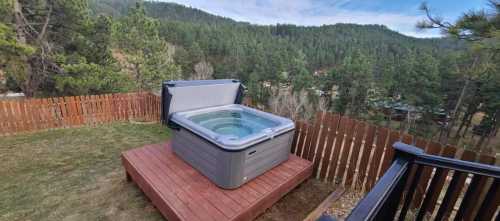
17	116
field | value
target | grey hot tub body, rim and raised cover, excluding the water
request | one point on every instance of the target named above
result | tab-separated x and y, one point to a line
227	162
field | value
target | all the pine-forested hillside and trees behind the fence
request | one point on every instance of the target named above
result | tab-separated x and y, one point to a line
73	47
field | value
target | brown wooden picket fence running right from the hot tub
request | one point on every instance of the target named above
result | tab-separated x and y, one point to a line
356	154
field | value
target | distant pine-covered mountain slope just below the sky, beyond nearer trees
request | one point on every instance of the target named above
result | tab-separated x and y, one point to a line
237	49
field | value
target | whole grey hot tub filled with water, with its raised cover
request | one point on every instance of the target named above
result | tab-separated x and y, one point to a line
228	143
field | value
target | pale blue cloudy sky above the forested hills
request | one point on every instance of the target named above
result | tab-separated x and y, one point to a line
399	15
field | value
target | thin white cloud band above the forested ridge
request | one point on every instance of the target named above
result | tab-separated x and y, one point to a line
307	12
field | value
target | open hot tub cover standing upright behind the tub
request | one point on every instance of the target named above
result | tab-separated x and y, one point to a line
190	95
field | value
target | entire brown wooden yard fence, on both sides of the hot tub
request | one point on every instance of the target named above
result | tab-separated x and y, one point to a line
346	151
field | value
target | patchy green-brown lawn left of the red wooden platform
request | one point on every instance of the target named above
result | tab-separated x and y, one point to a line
74	174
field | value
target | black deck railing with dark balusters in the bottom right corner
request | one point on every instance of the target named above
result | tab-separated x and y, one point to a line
393	195
